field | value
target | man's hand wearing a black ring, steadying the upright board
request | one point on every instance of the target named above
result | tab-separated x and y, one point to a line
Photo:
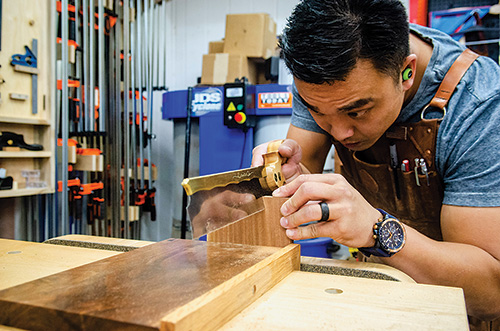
351	216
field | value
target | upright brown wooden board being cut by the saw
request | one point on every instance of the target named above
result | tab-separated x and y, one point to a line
260	228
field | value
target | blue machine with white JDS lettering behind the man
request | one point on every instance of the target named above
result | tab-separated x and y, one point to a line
223	148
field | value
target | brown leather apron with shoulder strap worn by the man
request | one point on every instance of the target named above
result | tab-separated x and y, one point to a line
412	195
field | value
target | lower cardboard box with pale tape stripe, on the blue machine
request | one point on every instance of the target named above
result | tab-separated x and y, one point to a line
223	68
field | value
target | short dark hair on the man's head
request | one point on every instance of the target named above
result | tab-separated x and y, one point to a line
324	39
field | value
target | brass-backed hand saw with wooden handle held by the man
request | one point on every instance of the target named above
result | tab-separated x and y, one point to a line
219	199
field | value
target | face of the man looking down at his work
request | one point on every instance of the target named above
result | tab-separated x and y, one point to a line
357	111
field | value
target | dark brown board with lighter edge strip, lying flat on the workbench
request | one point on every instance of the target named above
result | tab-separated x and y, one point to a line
172	285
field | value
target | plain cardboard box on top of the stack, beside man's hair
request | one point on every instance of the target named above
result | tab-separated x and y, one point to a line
252	35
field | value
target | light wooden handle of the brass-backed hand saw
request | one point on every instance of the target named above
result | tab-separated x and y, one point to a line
272	178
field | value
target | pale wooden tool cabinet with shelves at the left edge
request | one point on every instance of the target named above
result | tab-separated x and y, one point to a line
24	21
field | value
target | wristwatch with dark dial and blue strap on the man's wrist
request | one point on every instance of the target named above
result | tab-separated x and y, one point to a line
389	235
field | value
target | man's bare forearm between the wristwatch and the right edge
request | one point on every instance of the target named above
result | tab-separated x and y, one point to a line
453	264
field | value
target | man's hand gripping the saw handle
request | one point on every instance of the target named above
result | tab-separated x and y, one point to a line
290	150
